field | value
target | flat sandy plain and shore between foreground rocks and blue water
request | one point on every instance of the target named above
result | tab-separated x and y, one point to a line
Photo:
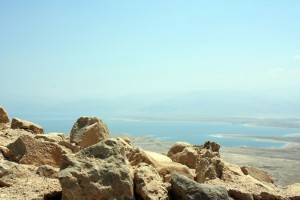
282	163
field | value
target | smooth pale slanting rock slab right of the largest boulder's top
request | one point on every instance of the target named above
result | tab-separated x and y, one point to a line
161	163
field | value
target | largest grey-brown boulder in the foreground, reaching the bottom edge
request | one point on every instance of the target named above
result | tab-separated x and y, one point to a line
99	171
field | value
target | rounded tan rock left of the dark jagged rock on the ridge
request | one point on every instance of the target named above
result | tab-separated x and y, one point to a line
184	153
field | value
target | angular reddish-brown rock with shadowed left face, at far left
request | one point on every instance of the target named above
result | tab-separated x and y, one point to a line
27	150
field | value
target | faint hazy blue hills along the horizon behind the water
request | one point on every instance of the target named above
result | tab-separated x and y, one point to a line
199	103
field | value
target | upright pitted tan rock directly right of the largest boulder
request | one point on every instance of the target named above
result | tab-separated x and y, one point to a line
148	183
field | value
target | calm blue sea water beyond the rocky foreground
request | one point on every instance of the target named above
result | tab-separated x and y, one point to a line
189	131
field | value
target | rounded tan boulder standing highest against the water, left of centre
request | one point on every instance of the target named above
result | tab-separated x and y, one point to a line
88	131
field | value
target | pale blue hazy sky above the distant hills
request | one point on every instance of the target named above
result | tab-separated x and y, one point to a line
67	49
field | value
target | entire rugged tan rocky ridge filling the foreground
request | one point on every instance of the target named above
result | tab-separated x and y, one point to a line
91	165
